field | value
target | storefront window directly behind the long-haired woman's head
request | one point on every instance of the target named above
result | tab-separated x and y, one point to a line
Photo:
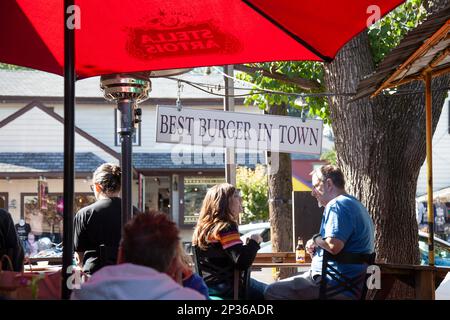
195	189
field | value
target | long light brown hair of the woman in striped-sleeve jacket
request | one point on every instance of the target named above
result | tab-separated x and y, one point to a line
215	215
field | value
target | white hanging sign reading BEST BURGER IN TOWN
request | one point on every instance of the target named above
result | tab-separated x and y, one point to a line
238	130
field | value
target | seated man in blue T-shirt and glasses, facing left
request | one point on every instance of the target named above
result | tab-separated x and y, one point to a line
346	227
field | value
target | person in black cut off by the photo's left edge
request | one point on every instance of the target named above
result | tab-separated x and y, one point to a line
9	242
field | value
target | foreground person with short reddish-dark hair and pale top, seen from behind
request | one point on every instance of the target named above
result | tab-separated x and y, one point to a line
147	253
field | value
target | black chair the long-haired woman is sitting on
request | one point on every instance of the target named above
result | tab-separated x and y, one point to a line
231	281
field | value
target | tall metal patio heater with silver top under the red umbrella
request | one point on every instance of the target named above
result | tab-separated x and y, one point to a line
128	90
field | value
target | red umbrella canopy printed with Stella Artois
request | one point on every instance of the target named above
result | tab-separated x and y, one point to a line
127	36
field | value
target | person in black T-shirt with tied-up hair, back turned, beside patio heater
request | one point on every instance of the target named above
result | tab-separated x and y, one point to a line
100	223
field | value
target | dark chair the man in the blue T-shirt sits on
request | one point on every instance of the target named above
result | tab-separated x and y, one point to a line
357	286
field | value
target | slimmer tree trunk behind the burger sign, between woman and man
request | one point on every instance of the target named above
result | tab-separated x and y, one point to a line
280	199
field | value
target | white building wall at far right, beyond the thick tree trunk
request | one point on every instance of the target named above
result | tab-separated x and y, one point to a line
441	156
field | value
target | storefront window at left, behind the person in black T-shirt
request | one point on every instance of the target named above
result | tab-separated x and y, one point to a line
49	222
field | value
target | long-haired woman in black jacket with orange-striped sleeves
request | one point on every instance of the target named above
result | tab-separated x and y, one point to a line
216	234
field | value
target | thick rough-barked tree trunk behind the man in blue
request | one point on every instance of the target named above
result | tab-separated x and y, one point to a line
380	146
